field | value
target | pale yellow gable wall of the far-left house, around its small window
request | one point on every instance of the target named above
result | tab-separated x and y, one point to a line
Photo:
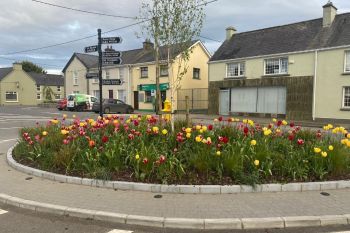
20	82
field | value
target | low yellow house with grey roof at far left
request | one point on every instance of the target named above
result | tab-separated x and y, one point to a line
18	87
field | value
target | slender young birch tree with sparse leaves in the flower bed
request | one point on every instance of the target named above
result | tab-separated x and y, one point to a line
173	25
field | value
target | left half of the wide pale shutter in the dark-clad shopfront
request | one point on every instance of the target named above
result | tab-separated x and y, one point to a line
244	99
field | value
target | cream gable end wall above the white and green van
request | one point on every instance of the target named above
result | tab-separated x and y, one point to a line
82	86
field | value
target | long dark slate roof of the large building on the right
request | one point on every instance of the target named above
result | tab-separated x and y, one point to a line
307	35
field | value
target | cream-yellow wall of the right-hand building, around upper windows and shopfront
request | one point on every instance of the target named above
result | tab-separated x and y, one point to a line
329	84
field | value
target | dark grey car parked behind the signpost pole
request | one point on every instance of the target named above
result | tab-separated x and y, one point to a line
112	106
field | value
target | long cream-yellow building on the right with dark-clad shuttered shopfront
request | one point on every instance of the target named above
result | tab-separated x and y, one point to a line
299	71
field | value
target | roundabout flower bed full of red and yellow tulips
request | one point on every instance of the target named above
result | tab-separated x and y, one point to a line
144	149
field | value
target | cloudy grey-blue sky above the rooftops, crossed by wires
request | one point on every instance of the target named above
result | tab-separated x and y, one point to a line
25	24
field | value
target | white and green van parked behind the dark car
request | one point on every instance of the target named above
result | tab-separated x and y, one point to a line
80	102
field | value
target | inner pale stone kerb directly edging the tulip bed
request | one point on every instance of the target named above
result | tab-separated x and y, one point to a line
186	189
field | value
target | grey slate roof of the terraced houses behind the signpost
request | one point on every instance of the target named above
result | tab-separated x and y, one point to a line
129	57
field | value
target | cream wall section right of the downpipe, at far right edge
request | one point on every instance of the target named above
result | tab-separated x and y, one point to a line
330	83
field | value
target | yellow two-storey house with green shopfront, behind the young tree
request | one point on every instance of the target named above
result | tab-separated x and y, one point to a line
143	76
